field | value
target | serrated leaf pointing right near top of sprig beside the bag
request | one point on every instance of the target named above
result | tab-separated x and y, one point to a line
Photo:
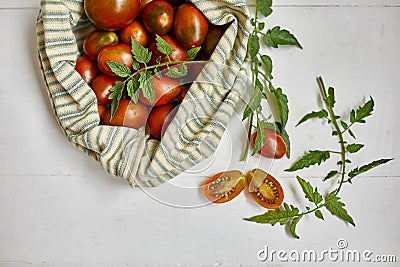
277	36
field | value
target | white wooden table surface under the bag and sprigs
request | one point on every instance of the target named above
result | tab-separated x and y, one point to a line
59	208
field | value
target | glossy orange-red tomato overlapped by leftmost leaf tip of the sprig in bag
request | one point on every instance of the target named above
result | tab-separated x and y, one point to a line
116	52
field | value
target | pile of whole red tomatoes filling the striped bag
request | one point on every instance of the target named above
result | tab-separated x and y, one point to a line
178	22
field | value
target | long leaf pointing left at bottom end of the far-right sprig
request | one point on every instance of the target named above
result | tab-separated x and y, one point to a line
282	215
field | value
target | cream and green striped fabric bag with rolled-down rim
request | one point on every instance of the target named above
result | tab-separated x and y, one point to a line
124	152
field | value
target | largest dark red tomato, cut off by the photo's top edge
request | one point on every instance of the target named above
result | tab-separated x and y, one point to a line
111	14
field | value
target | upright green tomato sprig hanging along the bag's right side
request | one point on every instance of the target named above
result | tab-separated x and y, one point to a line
261	68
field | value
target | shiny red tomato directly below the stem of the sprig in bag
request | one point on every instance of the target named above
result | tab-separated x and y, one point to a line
165	90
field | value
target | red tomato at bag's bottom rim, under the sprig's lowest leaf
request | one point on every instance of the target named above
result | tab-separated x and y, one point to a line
127	114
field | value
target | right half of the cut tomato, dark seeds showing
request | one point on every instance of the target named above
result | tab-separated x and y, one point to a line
264	189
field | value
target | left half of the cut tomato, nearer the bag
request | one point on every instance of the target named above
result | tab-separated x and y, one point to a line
224	186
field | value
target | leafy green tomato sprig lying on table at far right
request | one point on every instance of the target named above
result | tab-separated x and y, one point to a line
291	215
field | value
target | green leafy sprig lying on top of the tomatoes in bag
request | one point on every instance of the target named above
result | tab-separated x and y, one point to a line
141	78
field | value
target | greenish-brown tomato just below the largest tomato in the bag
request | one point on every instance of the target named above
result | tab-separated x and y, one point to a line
96	40
